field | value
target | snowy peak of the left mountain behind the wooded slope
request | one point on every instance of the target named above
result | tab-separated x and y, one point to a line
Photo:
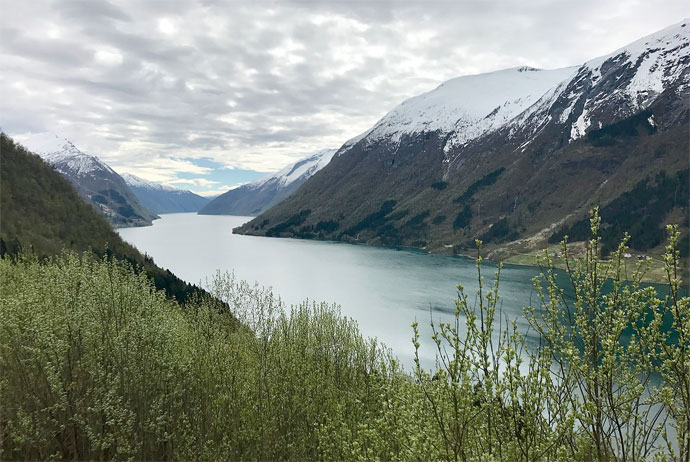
63	155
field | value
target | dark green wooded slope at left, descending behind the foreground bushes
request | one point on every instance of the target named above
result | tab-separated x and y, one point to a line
41	212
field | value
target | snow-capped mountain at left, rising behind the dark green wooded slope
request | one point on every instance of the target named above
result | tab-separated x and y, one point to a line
94	180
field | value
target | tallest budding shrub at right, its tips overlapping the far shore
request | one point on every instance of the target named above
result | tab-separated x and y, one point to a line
604	346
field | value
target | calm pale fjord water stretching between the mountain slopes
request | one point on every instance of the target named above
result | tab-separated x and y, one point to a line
384	290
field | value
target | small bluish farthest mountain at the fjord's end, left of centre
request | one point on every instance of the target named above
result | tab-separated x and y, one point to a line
163	199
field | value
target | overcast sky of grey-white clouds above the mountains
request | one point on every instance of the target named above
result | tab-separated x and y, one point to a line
209	94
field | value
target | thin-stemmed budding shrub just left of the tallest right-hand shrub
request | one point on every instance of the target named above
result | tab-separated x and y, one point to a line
482	402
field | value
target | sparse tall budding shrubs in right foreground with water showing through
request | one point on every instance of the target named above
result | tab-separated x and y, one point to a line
608	381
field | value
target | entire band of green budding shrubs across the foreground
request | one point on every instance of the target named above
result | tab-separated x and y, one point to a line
97	364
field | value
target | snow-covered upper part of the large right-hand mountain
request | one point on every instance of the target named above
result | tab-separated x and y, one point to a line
524	99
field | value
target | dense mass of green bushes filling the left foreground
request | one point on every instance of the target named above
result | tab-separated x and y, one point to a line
96	364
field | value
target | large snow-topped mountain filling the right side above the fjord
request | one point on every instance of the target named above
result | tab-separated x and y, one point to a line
515	157
